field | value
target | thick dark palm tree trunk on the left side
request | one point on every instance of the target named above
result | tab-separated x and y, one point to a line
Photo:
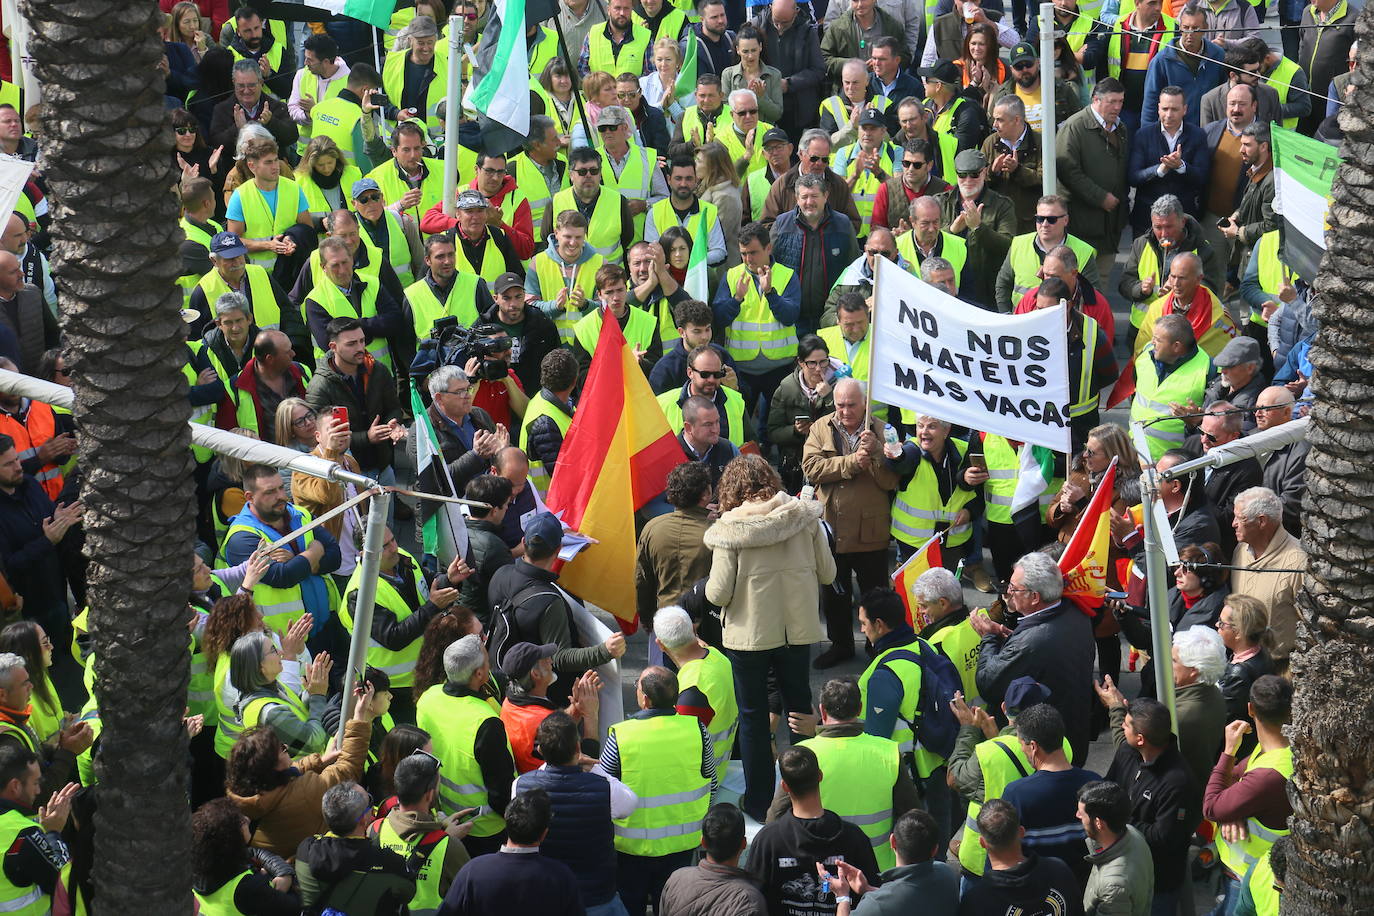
106	154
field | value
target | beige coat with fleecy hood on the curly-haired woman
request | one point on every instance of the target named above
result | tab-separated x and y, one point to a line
769	562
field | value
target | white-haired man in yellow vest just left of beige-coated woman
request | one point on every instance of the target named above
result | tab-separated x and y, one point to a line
706	679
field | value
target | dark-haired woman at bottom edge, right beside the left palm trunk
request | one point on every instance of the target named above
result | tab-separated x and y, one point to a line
227	875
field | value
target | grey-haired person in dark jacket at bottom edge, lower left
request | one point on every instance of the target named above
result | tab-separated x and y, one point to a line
344	867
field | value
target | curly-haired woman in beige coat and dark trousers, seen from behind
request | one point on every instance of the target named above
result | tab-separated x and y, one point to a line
770	558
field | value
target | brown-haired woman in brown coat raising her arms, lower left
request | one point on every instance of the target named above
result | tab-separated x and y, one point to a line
282	797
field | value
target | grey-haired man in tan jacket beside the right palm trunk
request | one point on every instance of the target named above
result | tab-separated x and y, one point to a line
1269	564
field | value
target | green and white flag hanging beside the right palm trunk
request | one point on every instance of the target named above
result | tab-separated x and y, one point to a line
1303	174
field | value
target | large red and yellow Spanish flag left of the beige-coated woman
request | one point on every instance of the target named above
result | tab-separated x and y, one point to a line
616	458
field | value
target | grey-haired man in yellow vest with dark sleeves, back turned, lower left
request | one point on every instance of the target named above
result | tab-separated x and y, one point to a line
471	742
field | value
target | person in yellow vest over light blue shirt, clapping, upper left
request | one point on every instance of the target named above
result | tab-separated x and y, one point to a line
262	211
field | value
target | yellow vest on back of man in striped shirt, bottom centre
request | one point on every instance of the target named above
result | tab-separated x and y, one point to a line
660	762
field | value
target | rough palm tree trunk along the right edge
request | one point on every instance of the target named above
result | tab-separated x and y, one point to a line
1333	709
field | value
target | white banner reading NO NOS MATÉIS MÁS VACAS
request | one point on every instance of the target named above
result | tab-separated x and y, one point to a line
1005	374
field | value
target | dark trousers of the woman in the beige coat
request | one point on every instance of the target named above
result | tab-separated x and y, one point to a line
792	667
